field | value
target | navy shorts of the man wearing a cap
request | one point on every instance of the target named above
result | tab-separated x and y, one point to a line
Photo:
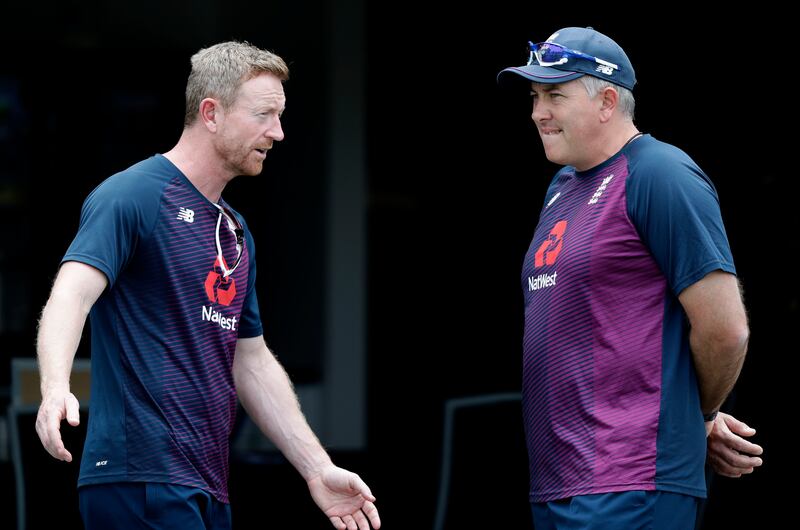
627	510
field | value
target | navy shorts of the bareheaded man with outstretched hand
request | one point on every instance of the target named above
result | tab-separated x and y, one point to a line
151	505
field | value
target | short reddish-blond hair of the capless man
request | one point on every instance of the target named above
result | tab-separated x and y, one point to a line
219	71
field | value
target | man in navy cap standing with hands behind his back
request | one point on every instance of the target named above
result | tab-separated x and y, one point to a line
635	330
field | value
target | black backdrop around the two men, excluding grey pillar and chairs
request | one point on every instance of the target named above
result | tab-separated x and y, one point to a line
456	178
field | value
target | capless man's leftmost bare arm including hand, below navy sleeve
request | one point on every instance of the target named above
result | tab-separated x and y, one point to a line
75	290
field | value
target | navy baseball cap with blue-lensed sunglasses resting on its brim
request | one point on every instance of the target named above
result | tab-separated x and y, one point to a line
571	53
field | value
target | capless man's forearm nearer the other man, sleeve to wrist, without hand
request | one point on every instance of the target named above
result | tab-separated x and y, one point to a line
268	397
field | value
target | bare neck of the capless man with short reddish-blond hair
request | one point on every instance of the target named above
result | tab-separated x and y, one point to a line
194	156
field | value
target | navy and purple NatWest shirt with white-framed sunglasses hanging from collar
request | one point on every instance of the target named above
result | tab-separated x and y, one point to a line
164	331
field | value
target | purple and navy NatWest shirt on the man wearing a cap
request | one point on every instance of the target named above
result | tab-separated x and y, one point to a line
610	395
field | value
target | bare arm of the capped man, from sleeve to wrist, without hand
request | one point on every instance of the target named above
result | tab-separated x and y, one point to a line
718	336
